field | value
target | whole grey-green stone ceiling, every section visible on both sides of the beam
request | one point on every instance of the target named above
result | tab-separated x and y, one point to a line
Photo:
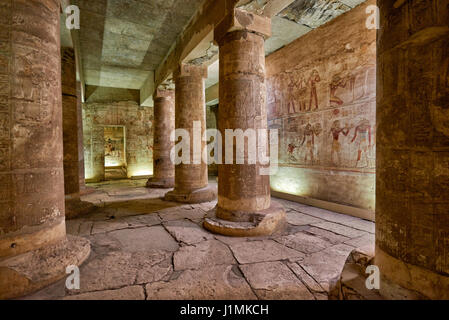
123	41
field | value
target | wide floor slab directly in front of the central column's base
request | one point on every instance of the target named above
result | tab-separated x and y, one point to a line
266	250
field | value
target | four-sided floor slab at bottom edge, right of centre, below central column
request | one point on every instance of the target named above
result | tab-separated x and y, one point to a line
275	281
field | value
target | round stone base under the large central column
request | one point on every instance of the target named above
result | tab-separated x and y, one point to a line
265	223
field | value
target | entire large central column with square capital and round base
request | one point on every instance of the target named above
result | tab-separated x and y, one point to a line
244	202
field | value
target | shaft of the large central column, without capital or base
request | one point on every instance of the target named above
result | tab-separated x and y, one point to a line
242	106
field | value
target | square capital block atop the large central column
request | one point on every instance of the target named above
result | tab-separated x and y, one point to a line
240	20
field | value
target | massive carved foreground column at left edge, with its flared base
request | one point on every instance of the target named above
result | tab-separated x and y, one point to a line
34	249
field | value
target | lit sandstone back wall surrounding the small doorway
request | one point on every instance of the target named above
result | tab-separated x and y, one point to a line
138	123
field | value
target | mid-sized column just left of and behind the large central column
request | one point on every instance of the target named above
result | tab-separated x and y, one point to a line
191	180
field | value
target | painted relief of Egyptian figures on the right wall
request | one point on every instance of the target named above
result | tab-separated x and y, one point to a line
325	113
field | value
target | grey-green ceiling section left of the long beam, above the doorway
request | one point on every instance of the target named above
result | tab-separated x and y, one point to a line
122	41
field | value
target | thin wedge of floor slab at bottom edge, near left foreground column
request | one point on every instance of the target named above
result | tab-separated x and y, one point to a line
127	293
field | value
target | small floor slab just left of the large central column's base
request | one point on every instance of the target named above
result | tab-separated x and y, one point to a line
187	232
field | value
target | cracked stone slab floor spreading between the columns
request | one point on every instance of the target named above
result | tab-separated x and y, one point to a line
146	248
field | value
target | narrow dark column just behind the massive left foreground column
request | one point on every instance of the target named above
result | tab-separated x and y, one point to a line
71	131
